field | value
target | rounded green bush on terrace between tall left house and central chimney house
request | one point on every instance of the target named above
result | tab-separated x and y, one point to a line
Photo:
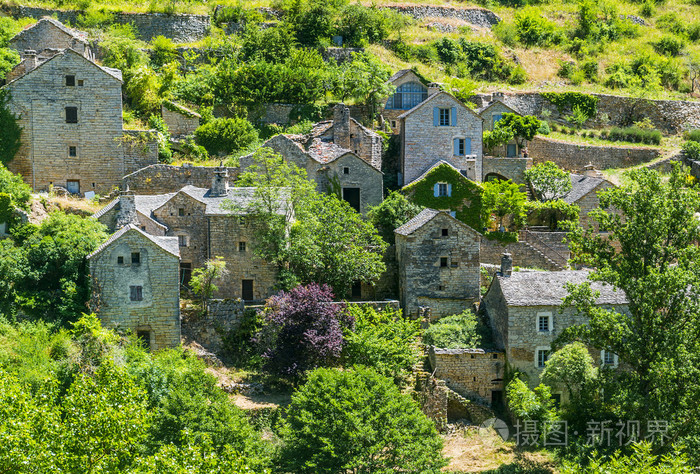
226	135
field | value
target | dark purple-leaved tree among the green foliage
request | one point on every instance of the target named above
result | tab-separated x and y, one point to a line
302	330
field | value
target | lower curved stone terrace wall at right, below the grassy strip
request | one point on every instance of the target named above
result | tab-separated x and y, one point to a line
574	156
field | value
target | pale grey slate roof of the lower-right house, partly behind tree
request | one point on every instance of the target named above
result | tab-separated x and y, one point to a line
548	288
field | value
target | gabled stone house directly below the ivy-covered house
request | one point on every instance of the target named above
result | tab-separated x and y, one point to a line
438	261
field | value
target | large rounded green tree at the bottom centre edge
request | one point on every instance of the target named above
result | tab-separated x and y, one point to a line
356	420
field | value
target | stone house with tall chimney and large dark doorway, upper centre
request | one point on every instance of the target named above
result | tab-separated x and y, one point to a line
340	155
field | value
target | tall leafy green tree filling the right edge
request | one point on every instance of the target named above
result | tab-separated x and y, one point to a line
650	253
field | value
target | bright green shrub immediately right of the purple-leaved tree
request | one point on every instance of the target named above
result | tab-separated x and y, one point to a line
383	340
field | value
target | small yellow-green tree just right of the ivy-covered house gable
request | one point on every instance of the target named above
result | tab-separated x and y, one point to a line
503	199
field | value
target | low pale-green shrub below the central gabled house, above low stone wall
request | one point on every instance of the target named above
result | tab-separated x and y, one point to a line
459	331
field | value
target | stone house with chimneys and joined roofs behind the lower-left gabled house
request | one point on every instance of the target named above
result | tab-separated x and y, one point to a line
208	223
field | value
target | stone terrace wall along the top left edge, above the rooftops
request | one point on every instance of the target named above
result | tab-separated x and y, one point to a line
180	28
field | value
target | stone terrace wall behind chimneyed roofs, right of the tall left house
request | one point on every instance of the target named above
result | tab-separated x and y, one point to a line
161	179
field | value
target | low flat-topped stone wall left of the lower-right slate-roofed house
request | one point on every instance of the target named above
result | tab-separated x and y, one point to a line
474	373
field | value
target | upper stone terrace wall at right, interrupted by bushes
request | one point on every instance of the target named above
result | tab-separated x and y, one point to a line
671	116
